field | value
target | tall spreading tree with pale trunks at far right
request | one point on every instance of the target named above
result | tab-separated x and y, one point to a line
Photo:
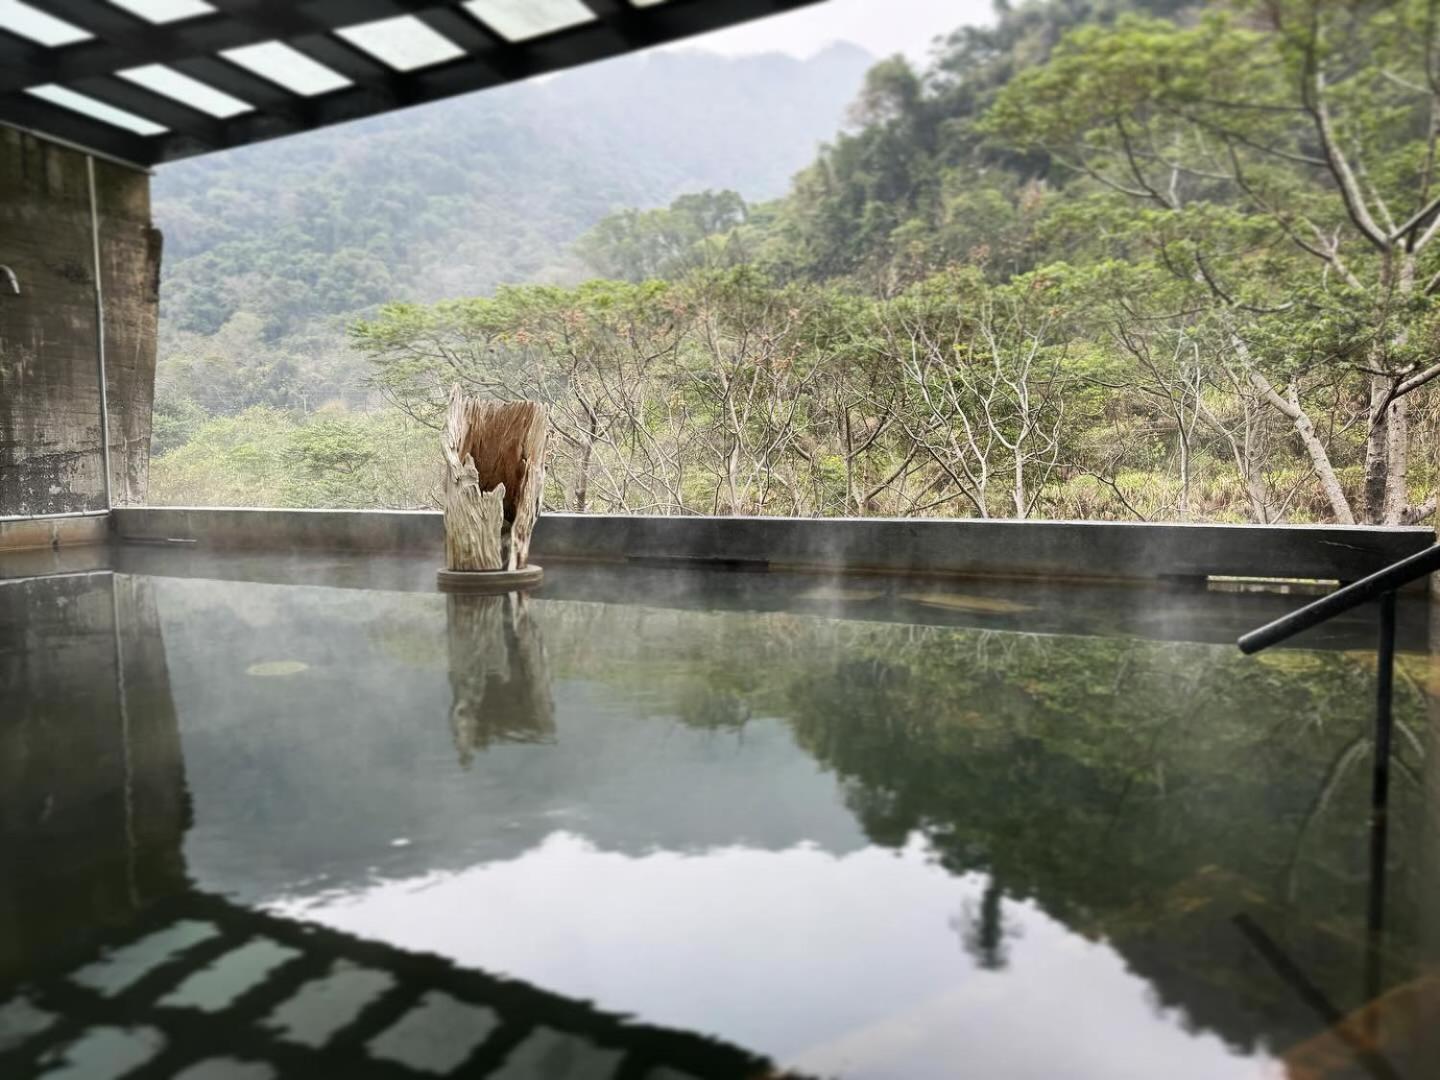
1317	125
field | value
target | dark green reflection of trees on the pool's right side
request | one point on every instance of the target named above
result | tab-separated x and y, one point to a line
1144	793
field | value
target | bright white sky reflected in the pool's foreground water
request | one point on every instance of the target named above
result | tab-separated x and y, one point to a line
836	966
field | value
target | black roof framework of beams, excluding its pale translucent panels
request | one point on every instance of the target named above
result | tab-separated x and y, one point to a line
192	45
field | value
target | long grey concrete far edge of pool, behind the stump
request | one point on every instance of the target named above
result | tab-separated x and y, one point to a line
1095	551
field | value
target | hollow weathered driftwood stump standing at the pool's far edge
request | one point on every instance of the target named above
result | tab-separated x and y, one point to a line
495	472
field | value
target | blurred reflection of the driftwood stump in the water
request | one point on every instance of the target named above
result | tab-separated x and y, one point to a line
500	682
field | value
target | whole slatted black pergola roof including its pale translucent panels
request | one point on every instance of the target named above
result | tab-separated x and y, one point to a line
152	81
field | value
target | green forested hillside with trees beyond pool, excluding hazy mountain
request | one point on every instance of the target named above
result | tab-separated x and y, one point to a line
1101	260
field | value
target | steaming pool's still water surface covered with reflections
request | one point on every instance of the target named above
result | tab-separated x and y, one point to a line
858	849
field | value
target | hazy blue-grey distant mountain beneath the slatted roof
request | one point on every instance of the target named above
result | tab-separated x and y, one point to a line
460	197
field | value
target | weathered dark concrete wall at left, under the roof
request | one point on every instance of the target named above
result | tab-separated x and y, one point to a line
50	387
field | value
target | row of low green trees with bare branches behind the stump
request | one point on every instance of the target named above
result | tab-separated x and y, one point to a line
725	392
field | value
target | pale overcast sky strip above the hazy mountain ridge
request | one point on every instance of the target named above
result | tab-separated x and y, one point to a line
879	27
